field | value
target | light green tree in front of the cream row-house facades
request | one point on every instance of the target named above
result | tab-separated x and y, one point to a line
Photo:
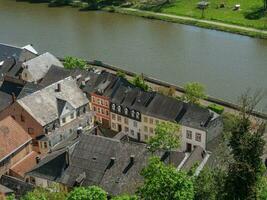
167	137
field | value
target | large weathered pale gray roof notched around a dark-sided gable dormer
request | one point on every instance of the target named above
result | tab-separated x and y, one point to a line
43	104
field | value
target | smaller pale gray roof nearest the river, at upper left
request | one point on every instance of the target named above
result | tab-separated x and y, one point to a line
39	66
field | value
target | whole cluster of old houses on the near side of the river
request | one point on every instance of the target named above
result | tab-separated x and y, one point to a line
47	124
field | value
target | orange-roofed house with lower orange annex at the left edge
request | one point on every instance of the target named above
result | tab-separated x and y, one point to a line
16	154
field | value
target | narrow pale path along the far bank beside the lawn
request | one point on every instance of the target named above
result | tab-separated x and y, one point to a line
198	20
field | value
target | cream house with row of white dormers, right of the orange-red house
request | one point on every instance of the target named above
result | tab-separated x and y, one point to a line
127	107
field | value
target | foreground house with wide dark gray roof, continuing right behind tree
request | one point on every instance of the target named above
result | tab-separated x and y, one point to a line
112	164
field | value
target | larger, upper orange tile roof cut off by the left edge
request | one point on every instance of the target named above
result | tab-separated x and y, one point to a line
12	136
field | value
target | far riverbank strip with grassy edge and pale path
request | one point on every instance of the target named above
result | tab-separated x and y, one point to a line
191	21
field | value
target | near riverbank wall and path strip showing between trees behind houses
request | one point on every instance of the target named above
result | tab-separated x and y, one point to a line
156	83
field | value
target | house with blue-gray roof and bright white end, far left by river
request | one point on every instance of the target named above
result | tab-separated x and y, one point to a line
19	53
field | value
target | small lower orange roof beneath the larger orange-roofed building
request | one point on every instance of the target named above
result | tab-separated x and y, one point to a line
25	165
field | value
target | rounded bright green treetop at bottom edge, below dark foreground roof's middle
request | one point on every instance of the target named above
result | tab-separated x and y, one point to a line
87	193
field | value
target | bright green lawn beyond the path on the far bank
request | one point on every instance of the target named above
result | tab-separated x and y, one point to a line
250	13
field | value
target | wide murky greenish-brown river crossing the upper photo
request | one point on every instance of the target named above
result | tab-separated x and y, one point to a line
226	63
